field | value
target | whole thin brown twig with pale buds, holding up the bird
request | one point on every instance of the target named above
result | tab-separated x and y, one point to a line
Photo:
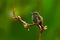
27	25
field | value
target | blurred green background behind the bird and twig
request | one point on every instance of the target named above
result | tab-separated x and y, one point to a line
13	30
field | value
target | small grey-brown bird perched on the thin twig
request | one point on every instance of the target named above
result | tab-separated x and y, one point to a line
36	18
